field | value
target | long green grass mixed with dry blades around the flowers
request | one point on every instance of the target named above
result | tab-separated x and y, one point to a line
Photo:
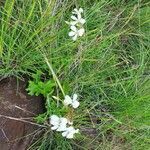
109	67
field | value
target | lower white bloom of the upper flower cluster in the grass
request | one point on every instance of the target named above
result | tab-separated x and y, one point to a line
75	32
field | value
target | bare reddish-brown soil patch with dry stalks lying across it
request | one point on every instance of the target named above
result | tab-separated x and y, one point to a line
15	106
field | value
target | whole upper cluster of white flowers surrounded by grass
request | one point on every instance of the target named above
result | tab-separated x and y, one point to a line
76	25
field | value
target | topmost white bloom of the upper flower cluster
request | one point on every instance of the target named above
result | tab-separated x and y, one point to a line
77	17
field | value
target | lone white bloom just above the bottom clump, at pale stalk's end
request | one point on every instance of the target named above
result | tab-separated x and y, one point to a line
71	101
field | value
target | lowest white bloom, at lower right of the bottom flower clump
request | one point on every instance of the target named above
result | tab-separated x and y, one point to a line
69	132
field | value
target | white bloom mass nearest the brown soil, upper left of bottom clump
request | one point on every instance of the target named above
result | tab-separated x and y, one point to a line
59	124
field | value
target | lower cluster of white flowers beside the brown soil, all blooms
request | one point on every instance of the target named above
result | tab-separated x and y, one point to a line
61	124
